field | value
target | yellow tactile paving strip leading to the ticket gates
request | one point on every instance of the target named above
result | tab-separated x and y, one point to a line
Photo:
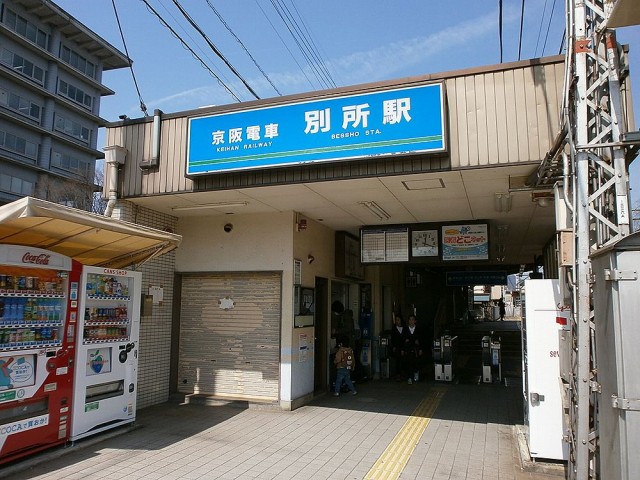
393	460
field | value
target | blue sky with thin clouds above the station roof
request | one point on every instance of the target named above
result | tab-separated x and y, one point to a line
359	41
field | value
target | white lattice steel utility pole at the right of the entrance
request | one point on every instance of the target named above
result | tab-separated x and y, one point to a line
595	123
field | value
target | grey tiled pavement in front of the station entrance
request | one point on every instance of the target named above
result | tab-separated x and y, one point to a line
469	436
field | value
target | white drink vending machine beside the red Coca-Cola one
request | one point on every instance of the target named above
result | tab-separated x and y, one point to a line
106	381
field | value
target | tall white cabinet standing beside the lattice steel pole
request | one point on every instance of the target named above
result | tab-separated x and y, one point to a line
544	317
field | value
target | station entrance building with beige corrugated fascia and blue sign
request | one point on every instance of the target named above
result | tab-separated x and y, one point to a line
307	214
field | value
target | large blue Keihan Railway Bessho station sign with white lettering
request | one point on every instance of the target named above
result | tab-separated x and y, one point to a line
391	122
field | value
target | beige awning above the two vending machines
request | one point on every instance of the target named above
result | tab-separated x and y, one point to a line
86	237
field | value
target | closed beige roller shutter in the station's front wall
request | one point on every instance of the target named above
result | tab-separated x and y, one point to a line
232	352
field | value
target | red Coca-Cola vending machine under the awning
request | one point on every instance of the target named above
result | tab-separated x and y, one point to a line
38	313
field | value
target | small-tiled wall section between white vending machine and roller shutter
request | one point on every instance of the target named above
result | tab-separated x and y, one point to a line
155	330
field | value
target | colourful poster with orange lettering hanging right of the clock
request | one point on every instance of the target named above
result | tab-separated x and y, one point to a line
465	242
